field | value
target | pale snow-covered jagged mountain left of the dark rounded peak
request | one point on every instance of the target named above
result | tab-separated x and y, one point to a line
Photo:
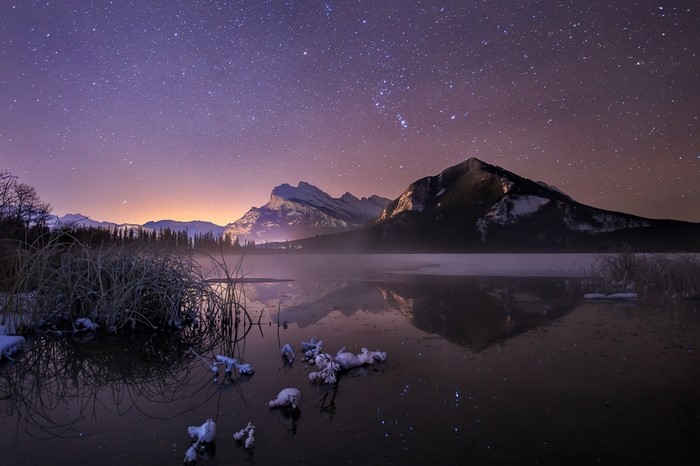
303	211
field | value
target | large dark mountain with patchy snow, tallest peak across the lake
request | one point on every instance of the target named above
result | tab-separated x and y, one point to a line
474	206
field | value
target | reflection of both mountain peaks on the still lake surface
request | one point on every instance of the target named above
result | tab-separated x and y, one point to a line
474	312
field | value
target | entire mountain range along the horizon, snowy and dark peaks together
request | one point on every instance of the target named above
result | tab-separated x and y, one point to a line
469	207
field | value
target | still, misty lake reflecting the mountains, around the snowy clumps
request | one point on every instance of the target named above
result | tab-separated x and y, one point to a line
491	359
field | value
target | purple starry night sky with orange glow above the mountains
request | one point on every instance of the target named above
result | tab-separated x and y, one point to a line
130	111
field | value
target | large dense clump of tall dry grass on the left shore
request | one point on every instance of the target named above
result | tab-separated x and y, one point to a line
56	281
